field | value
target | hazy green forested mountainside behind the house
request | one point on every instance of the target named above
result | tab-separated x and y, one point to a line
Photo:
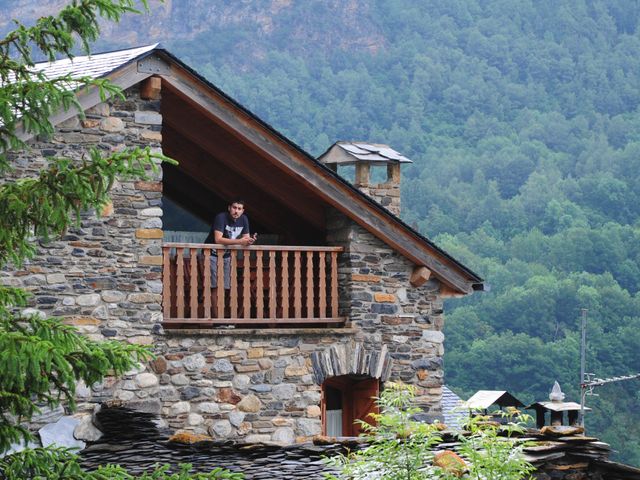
523	120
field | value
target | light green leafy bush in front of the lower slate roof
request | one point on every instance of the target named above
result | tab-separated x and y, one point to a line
398	447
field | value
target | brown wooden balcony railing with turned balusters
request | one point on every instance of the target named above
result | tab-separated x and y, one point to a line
269	285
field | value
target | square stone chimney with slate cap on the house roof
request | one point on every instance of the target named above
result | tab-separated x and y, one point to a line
366	156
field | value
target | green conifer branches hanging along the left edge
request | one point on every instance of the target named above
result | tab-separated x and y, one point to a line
42	359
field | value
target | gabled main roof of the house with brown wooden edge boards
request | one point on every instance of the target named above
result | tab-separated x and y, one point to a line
125	69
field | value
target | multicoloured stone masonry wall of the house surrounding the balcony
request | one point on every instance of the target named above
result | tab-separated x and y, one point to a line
104	277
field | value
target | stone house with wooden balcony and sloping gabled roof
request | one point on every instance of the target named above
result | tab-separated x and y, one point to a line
337	297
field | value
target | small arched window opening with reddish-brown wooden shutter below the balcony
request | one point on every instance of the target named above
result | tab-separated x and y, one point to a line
345	400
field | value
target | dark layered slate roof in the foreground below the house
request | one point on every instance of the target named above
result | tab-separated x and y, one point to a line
132	440
